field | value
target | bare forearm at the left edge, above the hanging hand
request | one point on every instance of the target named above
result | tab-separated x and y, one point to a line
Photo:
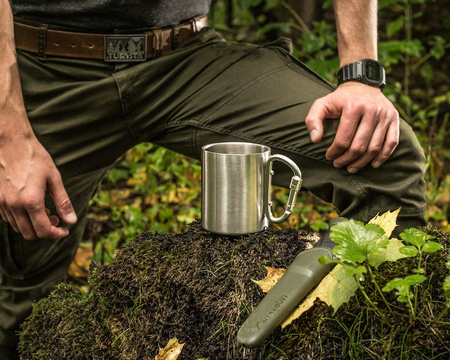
13	119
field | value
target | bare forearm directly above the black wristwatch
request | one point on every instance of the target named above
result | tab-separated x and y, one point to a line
356	22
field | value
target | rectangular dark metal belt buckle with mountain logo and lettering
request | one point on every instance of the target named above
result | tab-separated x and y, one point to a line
125	48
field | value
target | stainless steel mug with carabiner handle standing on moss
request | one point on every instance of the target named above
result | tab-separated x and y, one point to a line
236	183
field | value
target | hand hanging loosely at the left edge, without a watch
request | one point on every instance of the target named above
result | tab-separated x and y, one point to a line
27	172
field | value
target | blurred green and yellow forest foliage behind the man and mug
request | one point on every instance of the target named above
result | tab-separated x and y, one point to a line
155	189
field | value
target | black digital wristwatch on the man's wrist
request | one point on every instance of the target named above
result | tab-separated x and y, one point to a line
366	71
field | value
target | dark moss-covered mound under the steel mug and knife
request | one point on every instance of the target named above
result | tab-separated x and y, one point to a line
196	287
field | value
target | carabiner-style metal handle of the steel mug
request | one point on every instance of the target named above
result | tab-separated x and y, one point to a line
296	182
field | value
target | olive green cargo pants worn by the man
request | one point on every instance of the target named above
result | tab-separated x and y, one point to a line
87	113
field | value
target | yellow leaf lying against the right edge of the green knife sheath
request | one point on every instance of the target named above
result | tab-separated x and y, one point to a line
335	289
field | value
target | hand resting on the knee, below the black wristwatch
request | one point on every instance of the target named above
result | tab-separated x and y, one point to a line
368	131
